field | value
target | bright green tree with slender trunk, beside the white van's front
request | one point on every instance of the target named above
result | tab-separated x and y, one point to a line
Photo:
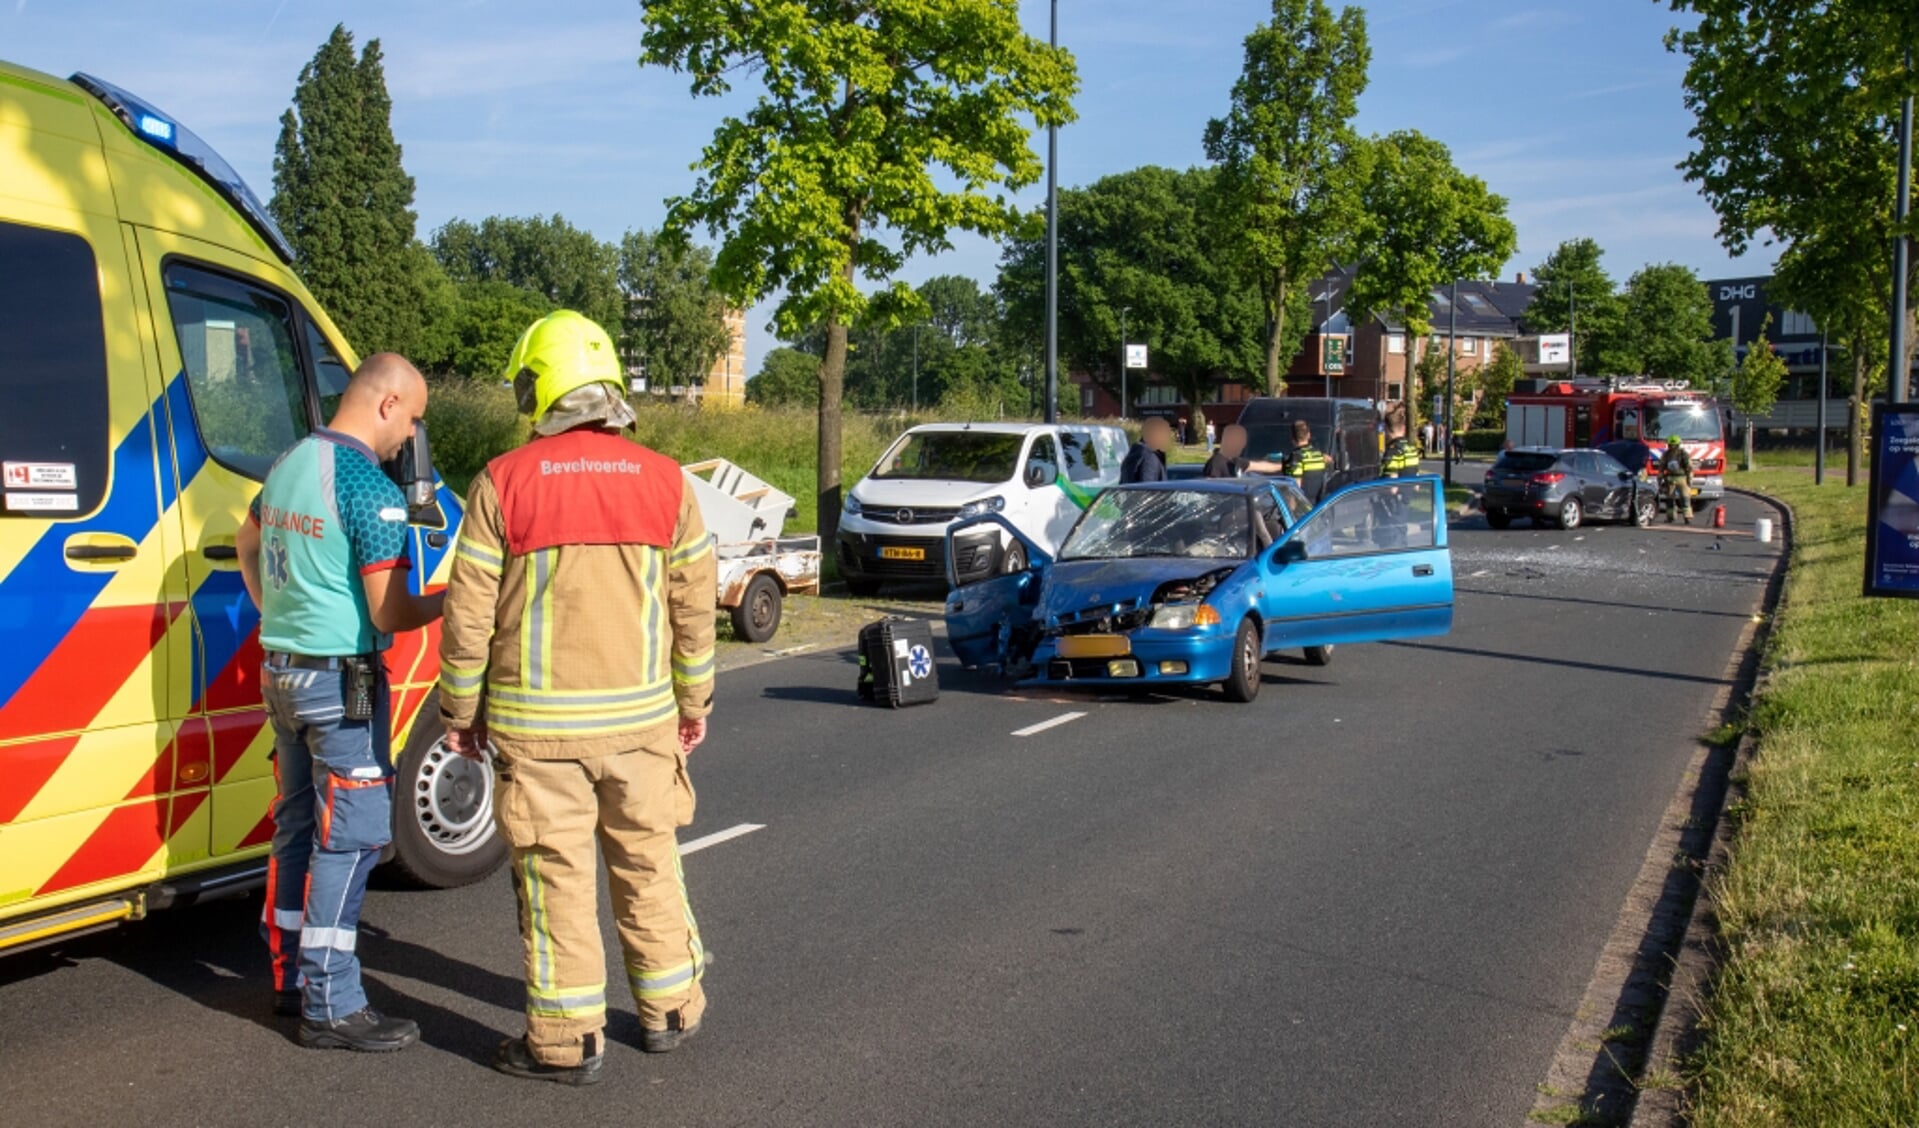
882	129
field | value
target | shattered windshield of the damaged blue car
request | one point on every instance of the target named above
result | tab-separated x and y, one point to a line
1164	523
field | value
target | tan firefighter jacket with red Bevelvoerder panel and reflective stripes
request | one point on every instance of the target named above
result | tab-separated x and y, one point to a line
580	613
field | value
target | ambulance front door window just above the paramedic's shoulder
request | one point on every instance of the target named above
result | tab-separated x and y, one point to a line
243	375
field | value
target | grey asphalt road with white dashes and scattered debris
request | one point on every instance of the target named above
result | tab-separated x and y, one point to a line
1373	897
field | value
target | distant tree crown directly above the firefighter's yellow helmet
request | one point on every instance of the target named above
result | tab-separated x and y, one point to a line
548	256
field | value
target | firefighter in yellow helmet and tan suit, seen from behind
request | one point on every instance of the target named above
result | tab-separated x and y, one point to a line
580	640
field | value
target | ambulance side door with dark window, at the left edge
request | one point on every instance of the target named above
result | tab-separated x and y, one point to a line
95	657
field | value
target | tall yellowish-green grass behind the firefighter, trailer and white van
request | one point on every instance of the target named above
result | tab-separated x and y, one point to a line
475	421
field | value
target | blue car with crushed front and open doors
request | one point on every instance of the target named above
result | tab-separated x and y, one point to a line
1196	582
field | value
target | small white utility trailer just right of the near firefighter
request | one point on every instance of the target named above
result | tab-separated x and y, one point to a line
759	565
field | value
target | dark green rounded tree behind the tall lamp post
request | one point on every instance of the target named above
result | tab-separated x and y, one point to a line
1139	247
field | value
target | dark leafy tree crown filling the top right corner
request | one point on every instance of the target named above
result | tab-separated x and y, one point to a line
1795	110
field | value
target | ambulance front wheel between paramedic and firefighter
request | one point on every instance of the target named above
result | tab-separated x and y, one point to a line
444	832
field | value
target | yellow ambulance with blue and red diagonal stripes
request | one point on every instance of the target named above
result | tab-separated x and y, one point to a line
156	356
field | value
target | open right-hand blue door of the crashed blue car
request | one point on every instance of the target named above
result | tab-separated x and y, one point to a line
1369	563
